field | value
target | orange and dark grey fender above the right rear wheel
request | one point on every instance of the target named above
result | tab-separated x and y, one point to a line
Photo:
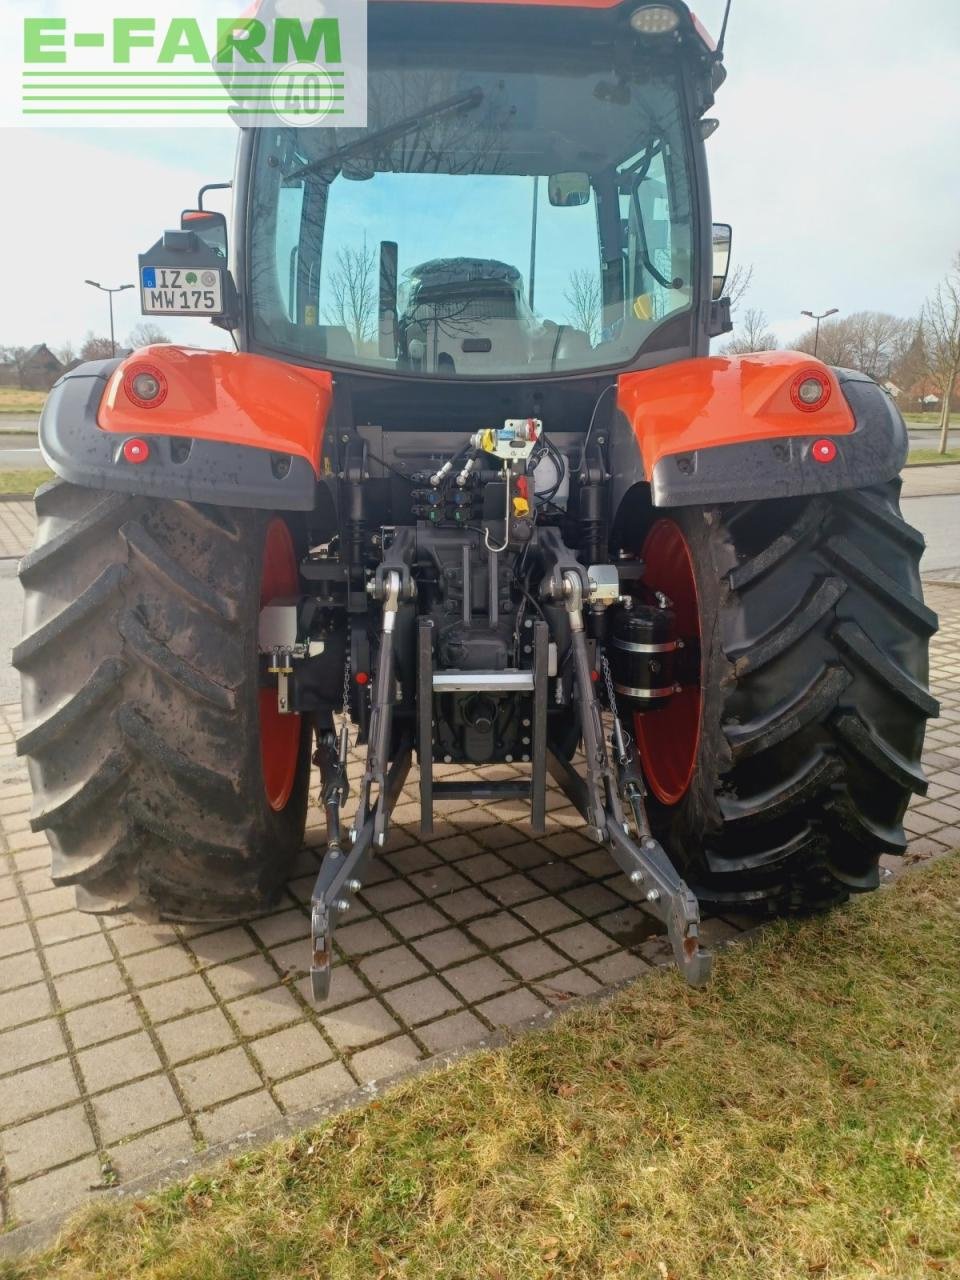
728	432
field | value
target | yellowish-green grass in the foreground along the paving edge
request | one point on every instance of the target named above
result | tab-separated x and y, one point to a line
799	1118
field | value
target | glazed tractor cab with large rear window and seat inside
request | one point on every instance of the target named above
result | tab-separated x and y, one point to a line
525	200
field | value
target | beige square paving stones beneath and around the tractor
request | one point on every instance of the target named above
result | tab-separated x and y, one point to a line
126	1046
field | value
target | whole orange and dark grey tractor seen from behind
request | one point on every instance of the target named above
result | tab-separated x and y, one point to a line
472	491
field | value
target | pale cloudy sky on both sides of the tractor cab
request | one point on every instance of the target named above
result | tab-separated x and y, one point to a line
836	162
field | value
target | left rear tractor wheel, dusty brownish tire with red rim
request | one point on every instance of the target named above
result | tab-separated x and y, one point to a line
161	774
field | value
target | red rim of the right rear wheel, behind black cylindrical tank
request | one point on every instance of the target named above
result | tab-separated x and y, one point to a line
669	739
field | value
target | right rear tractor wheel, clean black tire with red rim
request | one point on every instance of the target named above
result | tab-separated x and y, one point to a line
812	703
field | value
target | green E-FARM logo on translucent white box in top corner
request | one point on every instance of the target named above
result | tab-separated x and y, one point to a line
103	66
